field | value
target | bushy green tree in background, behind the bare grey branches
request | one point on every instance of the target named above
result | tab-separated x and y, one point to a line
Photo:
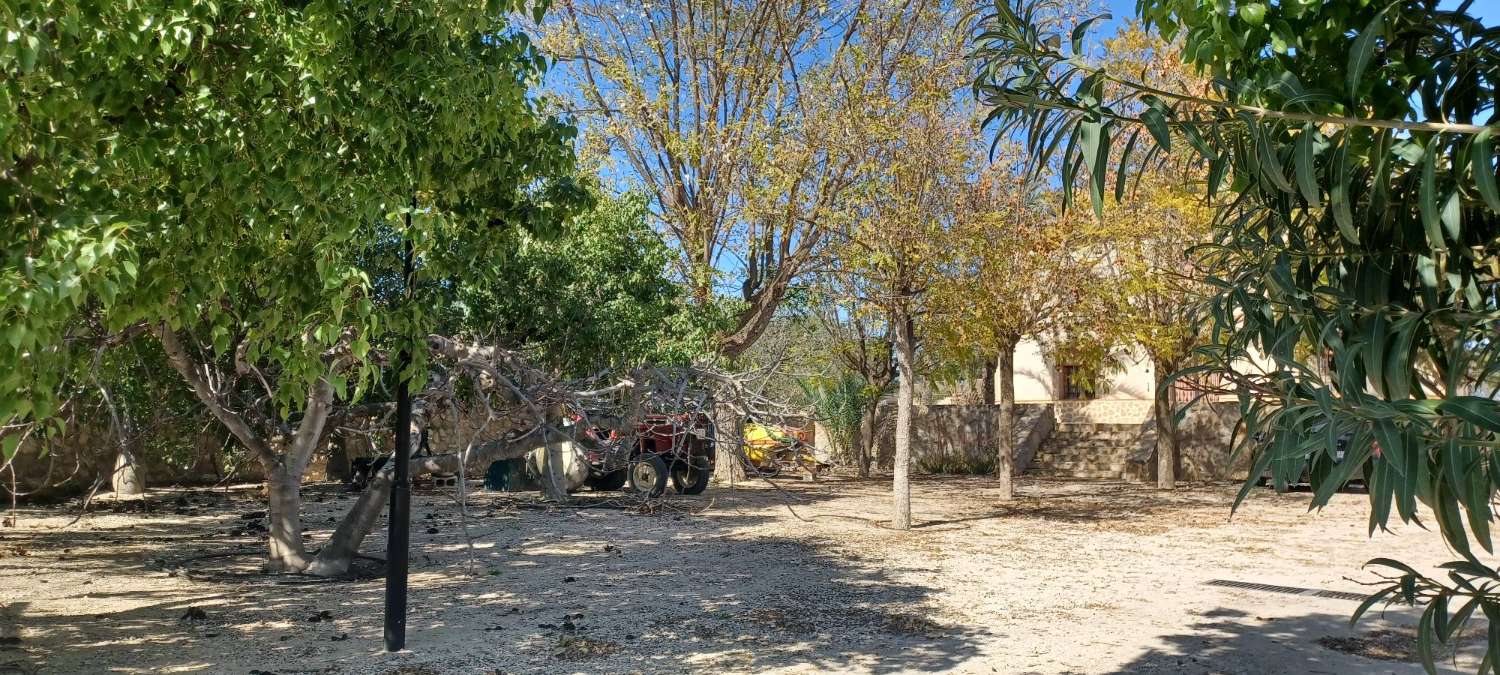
596	298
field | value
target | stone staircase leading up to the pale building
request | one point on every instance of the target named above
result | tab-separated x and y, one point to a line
1087	452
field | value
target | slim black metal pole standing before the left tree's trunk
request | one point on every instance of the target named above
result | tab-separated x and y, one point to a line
400	523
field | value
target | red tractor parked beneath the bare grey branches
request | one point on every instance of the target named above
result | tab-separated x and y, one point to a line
664	448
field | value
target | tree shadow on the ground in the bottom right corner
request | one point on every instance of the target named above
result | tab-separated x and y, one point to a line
1232	643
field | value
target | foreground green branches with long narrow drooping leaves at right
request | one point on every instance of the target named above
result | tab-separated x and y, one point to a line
1360	221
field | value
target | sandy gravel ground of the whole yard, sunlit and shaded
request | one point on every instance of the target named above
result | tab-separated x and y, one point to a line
1081	578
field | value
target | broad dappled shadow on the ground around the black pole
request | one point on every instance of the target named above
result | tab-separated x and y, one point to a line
598	587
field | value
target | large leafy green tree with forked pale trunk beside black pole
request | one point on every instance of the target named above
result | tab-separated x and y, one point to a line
220	172
